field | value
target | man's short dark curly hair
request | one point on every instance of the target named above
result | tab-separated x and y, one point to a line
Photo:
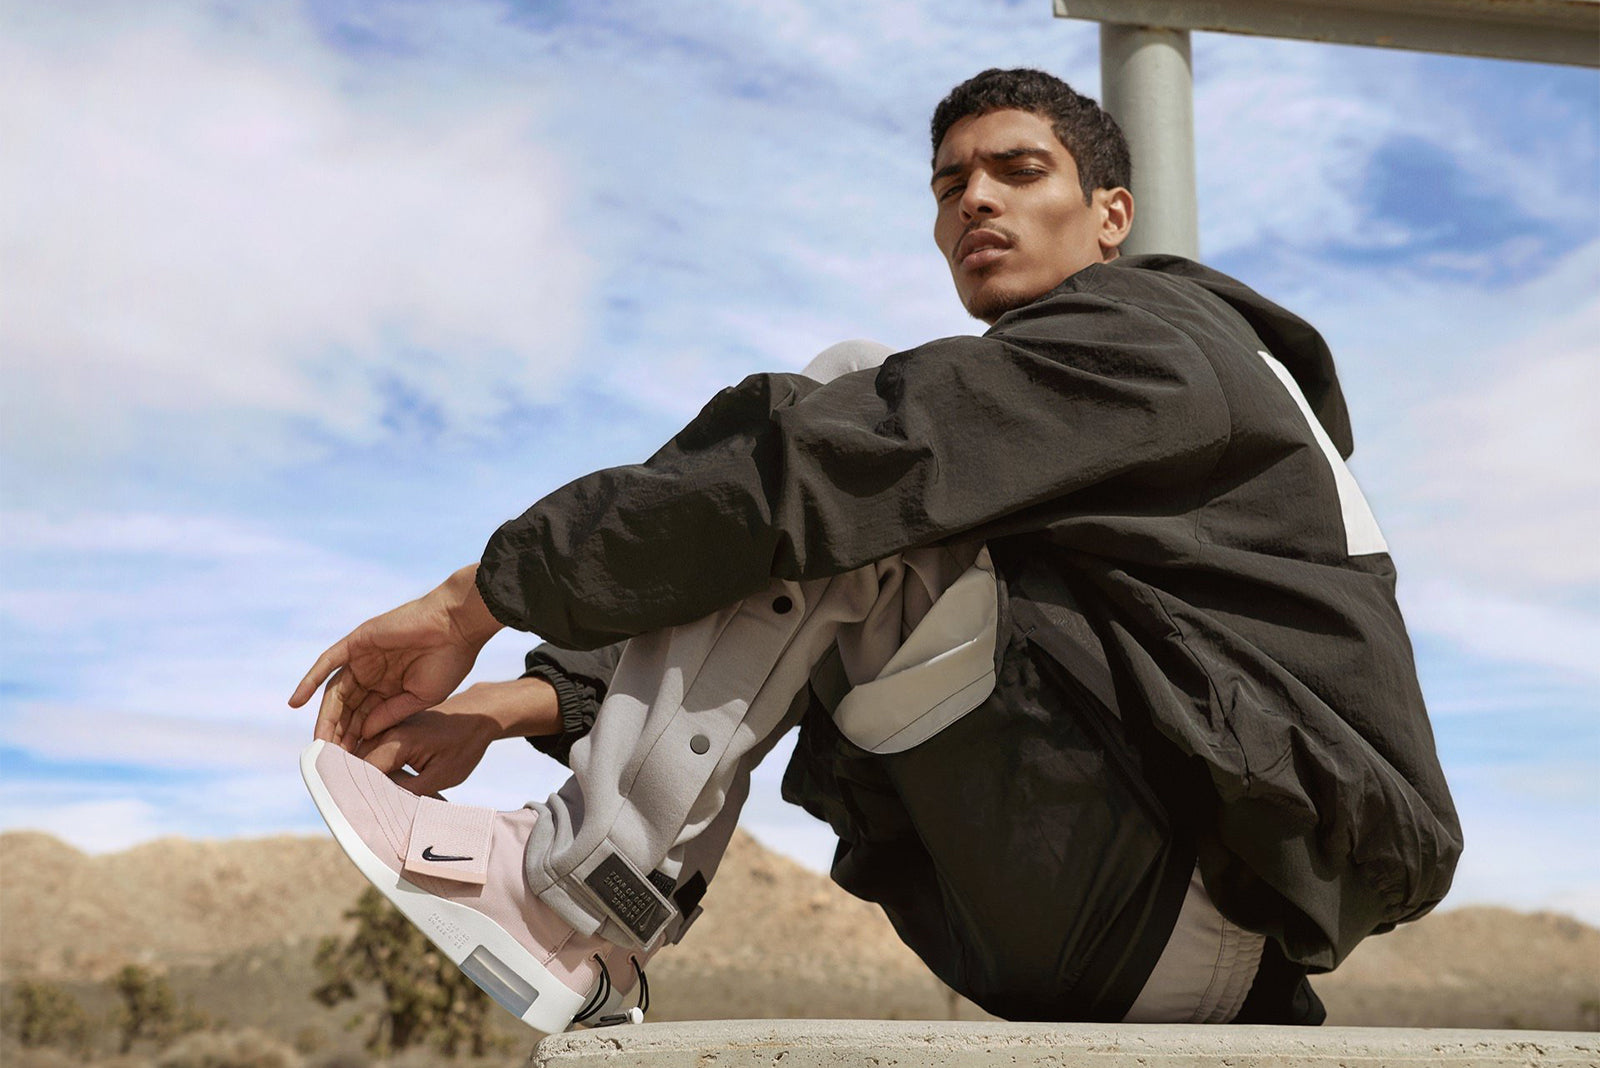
1089	133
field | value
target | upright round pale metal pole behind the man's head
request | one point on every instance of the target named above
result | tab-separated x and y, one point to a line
1148	87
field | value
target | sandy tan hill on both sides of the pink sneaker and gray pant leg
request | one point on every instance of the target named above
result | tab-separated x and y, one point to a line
775	941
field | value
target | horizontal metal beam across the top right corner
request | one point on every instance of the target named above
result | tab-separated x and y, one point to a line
1540	31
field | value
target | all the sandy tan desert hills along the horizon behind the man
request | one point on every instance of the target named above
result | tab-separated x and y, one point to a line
777	941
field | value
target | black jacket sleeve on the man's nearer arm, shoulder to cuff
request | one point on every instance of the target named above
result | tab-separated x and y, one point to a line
785	477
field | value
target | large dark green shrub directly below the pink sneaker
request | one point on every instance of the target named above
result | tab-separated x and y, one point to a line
425	997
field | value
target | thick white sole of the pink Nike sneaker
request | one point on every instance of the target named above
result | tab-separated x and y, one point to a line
486	952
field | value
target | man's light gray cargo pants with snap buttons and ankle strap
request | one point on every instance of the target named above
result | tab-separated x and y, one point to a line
660	779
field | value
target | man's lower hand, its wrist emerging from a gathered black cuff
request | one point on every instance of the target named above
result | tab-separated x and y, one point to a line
444	744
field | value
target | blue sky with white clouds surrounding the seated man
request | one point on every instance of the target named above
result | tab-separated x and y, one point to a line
302	301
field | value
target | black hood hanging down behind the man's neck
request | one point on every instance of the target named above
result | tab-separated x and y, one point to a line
1289	338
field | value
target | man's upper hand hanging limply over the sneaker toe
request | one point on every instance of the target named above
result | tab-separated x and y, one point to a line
401	663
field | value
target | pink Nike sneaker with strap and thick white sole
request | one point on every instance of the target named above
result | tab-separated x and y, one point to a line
455	872
